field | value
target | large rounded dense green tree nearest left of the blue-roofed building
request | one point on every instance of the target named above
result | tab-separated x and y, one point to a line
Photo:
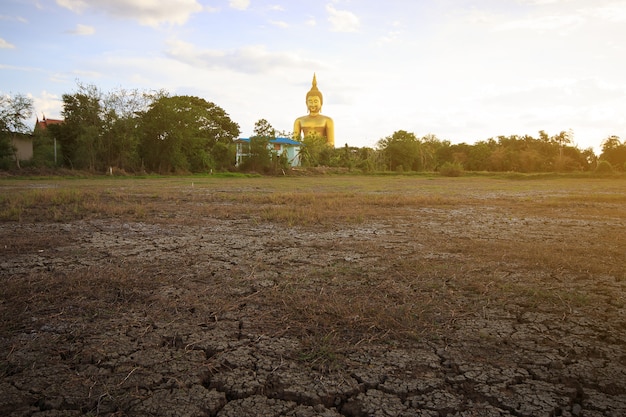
179	133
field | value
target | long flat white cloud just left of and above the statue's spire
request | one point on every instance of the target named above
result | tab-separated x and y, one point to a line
252	59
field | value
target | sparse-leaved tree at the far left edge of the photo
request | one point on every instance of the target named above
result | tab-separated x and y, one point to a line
14	111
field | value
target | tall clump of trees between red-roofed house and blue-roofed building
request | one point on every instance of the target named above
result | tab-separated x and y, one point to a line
133	130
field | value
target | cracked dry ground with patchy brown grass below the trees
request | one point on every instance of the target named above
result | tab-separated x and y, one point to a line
455	297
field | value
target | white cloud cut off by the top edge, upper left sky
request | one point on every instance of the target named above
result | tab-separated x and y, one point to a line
147	12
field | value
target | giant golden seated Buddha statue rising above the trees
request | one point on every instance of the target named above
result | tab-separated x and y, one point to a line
314	123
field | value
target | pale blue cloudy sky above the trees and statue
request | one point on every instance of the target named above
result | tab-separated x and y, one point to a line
462	70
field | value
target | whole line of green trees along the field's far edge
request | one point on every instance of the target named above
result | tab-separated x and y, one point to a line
135	131
